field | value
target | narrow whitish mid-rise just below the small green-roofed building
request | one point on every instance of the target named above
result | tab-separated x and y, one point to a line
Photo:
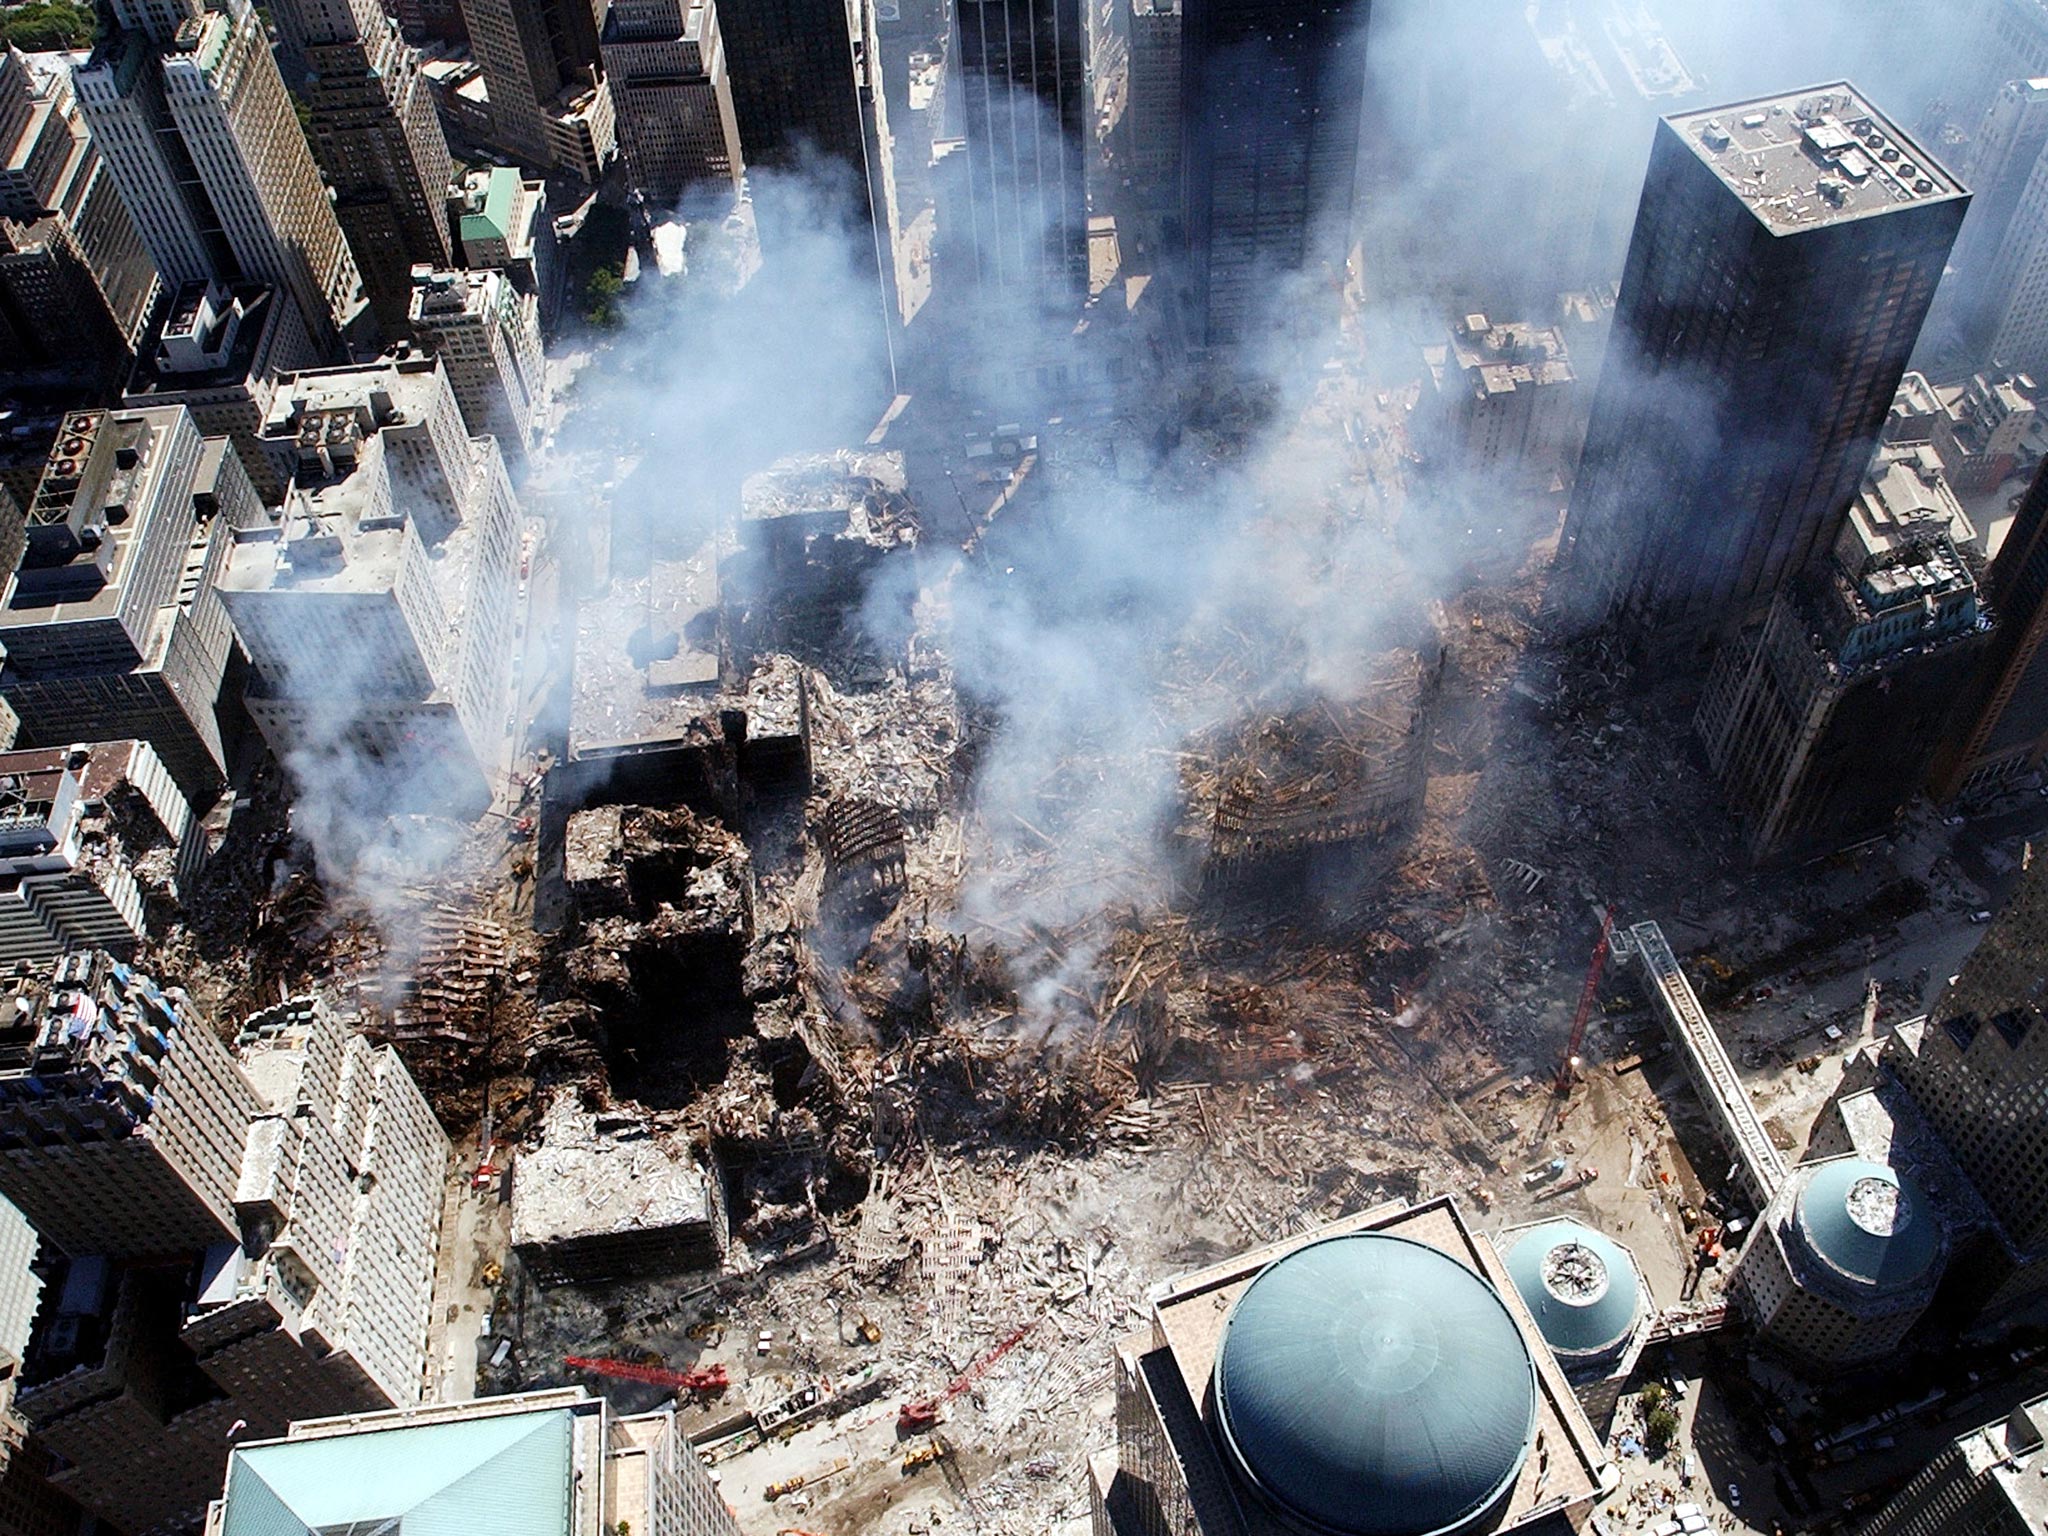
488	337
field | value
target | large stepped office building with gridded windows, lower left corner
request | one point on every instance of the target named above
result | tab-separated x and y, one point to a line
237	1242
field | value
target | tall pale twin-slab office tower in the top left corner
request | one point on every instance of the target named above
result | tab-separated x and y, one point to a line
212	161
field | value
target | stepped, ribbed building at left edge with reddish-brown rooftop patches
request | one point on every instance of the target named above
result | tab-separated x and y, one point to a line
95	843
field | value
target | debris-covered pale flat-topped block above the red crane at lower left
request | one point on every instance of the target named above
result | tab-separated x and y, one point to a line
605	1197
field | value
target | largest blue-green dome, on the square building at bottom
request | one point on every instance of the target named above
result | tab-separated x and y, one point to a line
1371	1385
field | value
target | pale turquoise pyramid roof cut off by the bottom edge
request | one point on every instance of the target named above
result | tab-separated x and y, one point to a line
507	1476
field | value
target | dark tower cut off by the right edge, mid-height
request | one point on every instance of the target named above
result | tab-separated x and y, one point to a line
2002	722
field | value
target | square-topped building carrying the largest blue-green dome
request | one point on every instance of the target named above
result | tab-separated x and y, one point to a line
1375	1377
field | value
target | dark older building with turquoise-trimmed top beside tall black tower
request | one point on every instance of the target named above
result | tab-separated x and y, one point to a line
1824	722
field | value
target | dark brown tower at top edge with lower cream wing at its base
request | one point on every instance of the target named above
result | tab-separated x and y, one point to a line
550	105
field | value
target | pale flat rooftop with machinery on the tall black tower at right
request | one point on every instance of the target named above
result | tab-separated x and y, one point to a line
1814	159
